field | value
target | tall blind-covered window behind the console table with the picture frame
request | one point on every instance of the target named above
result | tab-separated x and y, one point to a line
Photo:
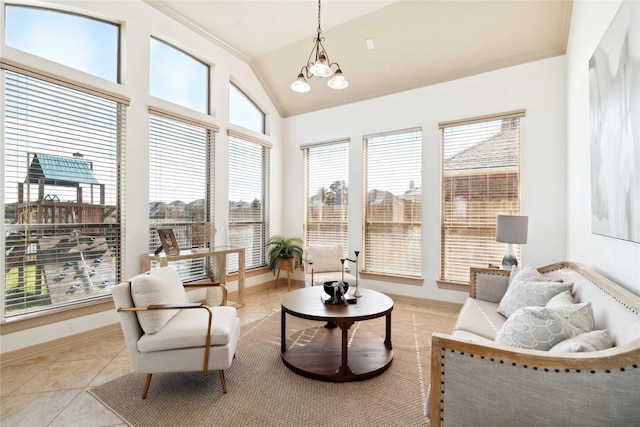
181	184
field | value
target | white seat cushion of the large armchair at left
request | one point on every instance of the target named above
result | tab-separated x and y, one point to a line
188	328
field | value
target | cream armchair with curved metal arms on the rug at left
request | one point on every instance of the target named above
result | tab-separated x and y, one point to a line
166	333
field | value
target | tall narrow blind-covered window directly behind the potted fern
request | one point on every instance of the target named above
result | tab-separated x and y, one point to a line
248	197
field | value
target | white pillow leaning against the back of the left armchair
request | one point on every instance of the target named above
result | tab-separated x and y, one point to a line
162	286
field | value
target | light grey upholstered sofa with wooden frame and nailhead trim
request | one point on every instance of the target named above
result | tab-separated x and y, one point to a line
478	380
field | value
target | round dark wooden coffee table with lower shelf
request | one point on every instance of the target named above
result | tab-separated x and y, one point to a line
330	354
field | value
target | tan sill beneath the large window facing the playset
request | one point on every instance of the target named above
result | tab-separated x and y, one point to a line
29	321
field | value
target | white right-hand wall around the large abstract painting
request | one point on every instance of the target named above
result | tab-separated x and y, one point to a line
617	259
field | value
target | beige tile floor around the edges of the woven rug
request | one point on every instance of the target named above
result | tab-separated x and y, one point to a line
51	389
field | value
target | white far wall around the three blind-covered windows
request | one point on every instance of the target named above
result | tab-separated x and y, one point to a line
538	87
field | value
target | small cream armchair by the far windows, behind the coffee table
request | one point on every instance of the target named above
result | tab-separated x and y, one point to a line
323	264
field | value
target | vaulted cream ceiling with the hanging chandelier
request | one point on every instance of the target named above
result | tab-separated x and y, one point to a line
417	43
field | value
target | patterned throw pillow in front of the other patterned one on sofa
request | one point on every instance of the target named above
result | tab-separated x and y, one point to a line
541	328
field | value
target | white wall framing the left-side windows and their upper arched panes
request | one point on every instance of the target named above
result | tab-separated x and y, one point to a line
140	21
